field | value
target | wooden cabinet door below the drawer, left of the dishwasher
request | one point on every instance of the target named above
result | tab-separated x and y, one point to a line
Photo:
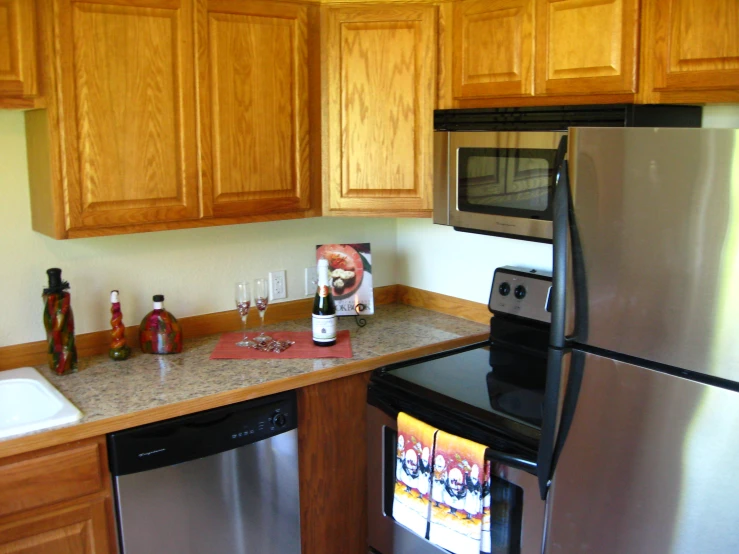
79	529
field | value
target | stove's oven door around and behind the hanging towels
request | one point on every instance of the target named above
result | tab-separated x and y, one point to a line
517	514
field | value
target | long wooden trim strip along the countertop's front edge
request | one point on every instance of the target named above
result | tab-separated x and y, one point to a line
54	437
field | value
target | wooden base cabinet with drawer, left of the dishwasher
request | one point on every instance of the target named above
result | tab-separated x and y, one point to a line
57	501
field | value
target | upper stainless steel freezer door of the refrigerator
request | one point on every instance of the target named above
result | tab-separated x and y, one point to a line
656	221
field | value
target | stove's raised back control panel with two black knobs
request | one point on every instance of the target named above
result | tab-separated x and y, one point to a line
521	292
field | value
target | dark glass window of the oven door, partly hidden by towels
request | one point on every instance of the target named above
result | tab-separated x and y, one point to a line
504	500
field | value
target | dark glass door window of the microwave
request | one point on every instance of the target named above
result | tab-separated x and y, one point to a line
515	182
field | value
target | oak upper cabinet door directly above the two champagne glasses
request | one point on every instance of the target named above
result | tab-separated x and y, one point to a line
254	107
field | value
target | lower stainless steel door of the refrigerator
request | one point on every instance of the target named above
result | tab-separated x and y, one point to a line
649	466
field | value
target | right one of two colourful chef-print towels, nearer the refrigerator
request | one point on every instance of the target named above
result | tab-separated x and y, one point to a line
456	494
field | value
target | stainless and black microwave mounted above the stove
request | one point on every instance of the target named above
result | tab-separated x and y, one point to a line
495	168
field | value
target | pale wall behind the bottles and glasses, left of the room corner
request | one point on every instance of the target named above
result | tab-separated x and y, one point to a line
195	268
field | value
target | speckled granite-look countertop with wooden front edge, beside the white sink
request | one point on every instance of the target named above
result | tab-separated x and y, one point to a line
145	388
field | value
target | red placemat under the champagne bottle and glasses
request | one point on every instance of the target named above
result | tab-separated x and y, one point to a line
226	348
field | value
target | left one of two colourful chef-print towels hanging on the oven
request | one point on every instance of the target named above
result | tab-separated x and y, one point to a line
413	473
